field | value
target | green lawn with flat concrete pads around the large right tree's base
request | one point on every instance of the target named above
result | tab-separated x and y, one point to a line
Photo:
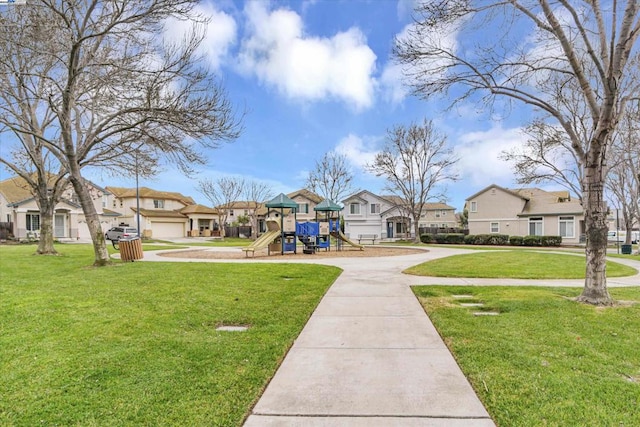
544	360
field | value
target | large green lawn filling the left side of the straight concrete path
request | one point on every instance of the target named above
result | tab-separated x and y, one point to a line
136	343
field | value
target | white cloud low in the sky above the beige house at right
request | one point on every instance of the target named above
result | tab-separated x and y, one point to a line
479	155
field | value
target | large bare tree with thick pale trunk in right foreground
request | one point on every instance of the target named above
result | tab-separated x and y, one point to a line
542	53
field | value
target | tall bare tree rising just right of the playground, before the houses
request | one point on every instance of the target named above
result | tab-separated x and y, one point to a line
415	161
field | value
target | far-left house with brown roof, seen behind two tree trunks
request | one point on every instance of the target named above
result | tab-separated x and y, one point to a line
19	207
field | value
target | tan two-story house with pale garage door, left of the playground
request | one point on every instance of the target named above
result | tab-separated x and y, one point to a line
163	214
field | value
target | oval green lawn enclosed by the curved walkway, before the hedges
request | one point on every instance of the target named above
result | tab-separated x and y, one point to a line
514	265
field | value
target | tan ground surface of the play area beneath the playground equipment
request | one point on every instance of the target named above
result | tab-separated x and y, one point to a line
369	251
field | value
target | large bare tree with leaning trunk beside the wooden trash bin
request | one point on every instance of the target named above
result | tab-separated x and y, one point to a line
111	88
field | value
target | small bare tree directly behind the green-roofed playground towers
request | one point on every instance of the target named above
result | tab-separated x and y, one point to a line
331	178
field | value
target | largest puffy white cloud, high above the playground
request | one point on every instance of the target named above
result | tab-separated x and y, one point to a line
303	67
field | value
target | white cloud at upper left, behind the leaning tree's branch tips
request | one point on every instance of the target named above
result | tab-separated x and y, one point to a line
220	33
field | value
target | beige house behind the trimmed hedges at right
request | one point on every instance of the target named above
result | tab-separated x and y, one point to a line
525	211
